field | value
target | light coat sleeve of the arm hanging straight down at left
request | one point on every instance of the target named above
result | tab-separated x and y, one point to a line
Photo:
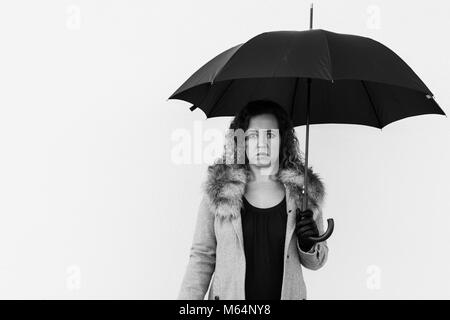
202	257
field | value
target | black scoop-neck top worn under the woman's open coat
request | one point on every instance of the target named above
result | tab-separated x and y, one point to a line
264	231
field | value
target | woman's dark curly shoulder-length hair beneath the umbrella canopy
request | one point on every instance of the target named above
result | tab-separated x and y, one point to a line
290	156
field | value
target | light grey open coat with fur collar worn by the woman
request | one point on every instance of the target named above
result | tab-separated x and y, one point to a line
217	250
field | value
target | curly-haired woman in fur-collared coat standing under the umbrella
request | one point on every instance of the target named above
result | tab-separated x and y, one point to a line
251	238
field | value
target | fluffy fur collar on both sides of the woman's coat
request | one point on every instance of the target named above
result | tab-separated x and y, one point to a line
225	186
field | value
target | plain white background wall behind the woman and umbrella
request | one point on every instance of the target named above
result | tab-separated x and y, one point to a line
92	204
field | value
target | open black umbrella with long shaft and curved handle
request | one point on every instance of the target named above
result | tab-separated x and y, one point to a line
318	76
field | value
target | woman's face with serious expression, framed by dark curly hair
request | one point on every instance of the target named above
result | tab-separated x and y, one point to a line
262	143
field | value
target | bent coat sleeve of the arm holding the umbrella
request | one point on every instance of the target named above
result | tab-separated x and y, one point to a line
316	257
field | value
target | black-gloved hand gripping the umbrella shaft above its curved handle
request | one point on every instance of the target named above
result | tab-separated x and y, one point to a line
305	227
